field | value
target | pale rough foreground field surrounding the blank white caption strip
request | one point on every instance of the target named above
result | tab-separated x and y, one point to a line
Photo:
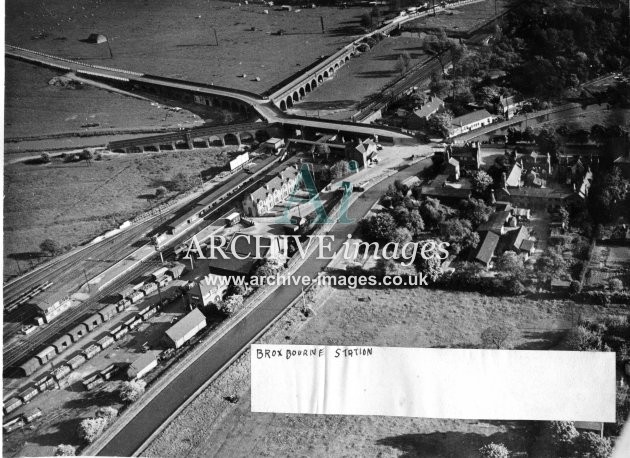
210	426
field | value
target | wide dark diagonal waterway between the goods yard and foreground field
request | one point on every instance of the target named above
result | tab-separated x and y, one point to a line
133	435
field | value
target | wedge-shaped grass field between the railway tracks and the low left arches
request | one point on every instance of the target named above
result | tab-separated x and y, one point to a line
73	202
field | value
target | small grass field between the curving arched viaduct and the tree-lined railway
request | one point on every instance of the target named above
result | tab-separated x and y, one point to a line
361	77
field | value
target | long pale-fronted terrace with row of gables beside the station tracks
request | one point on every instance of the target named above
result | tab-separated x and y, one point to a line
262	200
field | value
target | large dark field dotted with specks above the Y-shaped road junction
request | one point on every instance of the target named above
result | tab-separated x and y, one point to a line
176	38
